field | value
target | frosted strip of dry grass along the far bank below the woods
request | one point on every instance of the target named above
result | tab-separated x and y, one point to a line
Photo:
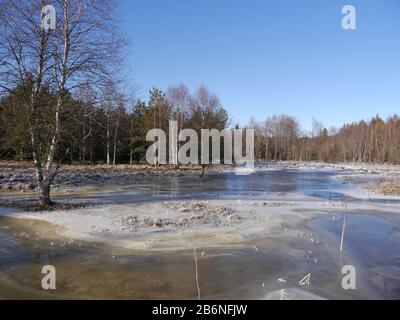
16	178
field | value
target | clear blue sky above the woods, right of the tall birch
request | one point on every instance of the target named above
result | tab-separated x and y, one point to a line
265	57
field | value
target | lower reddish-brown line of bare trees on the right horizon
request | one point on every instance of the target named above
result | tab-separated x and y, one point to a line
374	141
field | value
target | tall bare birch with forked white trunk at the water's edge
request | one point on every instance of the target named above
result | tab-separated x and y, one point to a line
84	47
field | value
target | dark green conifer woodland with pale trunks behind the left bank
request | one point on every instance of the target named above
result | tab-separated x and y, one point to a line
109	130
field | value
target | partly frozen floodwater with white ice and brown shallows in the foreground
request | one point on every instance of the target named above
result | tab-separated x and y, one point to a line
287	225
